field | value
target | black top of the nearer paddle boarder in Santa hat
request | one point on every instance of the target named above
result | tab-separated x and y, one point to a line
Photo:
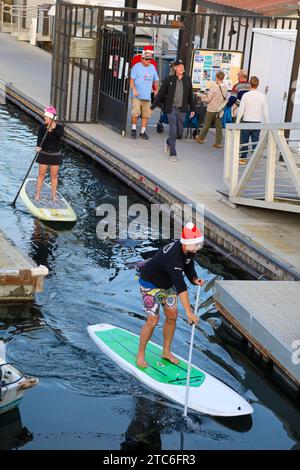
168	266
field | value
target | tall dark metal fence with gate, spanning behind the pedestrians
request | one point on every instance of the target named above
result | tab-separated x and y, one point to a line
91	53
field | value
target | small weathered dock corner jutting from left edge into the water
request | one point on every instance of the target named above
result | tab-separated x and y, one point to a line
20	277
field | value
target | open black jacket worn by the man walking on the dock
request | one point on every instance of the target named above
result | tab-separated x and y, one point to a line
165	96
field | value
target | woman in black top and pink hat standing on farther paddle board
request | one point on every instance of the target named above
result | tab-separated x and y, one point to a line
49	152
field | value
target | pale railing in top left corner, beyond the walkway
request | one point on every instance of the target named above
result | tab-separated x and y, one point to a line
26	23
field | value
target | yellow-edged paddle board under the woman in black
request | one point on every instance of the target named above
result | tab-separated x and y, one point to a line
45	208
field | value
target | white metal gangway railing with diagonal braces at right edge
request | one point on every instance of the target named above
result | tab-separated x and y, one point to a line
265	173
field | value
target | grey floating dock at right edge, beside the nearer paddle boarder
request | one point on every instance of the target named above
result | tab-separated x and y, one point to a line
267	314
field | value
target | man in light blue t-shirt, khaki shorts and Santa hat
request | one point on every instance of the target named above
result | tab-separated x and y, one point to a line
143	77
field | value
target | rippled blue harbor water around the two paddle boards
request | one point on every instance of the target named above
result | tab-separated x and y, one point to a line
83	400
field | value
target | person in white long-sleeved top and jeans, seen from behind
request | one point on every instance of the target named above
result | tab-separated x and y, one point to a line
253	108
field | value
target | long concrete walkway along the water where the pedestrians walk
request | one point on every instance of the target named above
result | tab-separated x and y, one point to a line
262	241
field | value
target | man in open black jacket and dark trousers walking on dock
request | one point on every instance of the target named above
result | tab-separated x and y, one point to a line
176	98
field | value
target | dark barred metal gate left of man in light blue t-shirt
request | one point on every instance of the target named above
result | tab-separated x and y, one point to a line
117	51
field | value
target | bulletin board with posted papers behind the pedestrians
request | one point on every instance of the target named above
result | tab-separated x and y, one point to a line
207	63
